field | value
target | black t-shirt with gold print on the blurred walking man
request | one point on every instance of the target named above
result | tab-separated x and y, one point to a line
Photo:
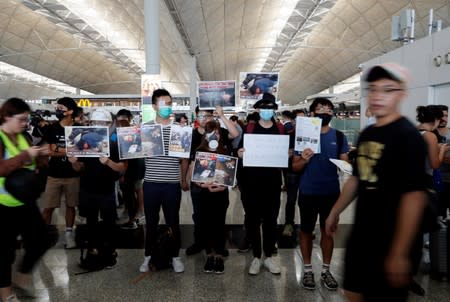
390	162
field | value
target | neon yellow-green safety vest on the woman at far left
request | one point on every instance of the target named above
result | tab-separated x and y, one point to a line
10	150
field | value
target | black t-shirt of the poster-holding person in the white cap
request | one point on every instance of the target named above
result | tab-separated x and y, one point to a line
97	177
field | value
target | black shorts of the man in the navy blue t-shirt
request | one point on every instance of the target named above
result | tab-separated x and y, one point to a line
313	205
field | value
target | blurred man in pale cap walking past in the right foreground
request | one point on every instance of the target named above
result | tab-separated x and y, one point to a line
389	180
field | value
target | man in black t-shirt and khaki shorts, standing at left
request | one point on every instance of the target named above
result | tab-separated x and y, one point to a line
62	178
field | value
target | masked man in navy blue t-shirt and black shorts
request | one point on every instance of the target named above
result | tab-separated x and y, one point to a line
319	190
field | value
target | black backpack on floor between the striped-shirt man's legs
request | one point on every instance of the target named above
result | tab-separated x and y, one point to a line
163	250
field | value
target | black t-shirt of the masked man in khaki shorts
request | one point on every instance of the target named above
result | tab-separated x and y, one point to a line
59	166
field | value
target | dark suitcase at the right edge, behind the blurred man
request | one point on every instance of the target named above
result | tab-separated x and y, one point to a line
439	251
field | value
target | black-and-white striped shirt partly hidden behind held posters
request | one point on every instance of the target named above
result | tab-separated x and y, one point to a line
162	169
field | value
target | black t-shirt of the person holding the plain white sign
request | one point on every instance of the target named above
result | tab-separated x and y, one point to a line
257	176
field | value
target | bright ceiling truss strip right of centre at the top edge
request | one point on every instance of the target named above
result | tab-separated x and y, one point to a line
304	17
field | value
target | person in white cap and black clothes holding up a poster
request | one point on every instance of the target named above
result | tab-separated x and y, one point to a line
97	196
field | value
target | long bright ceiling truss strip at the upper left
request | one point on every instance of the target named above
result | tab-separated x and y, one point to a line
72	24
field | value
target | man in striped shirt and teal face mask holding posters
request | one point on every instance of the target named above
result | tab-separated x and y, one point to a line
164	179
